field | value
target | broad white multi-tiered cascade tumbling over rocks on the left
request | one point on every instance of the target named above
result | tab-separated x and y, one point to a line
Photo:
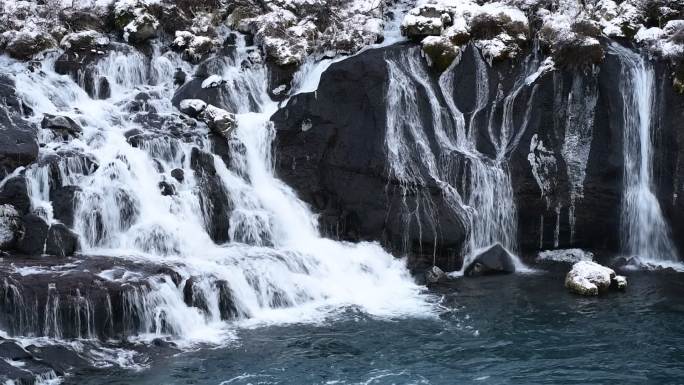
120	212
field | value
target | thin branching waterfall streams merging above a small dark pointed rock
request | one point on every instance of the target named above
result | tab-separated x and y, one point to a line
486	204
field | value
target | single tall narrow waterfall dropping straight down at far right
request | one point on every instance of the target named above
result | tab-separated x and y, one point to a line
645	233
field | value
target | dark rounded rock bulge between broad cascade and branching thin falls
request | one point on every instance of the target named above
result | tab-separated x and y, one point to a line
330	148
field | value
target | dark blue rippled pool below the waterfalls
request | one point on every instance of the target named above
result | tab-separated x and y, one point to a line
495	330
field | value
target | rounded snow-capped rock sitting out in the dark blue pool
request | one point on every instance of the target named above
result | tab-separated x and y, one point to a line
590	278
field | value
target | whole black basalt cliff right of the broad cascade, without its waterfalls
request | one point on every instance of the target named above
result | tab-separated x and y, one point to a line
565	156
